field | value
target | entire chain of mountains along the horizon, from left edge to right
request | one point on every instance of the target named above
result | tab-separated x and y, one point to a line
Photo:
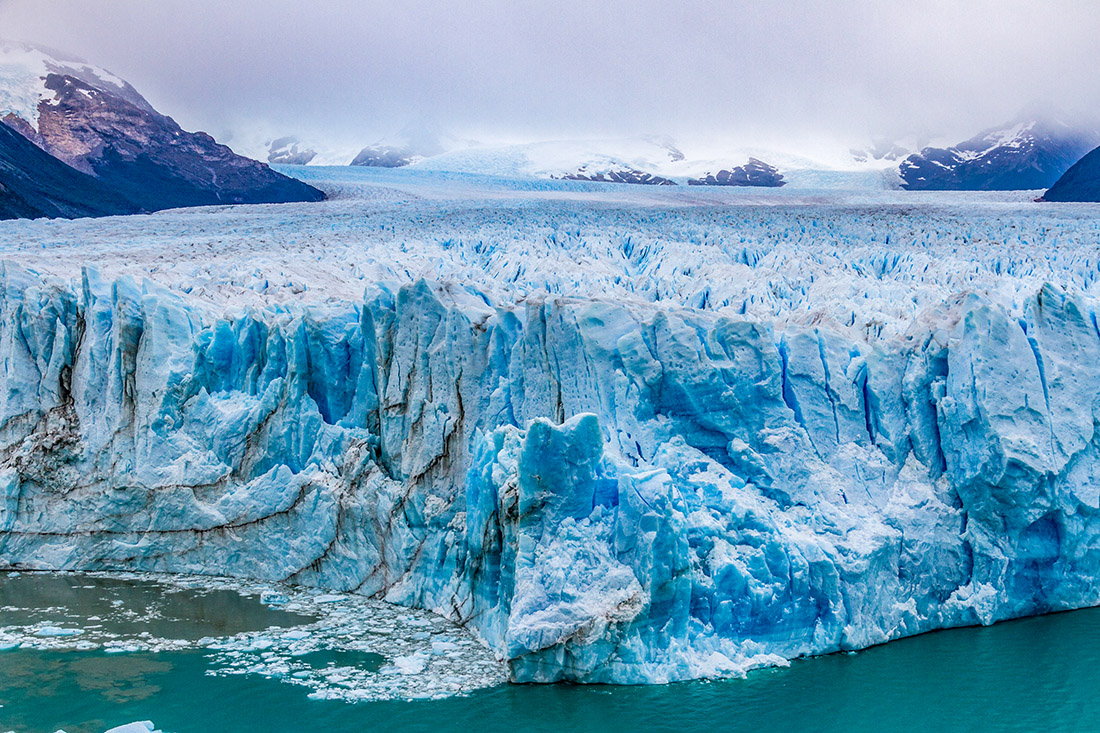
133	159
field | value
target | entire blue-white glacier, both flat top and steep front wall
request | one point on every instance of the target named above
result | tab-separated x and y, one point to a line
622	434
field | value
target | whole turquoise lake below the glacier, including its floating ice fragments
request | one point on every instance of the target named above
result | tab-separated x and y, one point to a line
87	652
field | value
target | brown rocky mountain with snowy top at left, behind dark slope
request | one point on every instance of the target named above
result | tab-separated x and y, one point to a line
100	125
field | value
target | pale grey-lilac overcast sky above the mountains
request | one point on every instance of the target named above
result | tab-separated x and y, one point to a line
519	70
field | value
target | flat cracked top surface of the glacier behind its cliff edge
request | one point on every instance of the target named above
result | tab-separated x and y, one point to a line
873	262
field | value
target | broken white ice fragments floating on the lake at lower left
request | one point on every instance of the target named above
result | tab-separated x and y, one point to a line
420	654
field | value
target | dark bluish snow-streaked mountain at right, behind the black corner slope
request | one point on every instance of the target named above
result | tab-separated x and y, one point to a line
1026	155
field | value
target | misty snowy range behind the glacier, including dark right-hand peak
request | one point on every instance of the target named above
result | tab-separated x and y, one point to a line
1024	156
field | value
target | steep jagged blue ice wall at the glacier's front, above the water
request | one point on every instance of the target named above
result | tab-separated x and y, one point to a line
603	493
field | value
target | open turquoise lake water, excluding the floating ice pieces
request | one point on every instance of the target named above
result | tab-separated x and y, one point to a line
1032	675
